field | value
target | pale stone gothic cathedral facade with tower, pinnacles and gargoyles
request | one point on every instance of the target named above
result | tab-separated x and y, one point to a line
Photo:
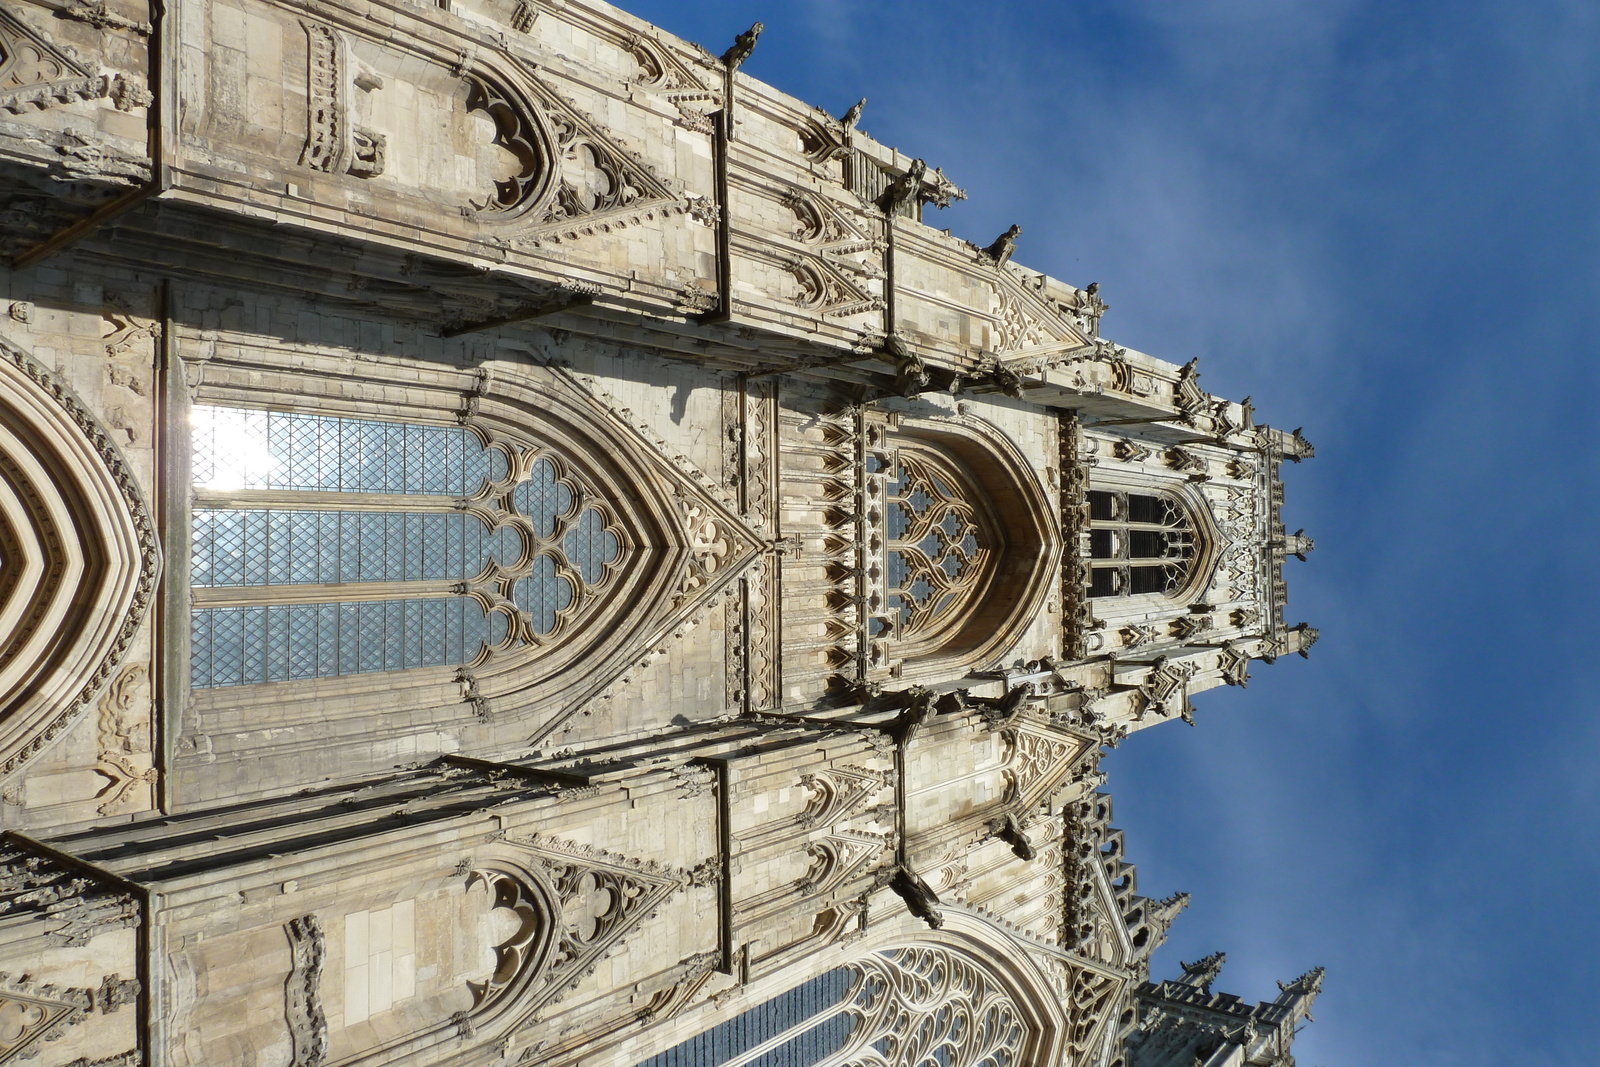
521	546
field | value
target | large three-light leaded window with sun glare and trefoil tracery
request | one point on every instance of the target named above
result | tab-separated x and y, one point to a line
332	546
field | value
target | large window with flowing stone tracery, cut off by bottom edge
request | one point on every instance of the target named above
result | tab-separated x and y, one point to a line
914	1007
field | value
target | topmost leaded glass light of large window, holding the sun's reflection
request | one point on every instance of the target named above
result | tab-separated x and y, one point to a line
238	449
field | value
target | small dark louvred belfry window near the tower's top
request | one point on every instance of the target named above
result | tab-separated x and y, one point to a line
1138	545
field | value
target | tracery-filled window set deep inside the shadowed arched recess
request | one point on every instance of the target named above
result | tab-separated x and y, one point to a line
935	549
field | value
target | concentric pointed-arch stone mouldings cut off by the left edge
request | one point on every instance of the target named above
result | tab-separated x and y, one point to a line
79	557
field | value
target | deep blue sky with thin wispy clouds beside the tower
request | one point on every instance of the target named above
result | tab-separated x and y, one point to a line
1382	222
